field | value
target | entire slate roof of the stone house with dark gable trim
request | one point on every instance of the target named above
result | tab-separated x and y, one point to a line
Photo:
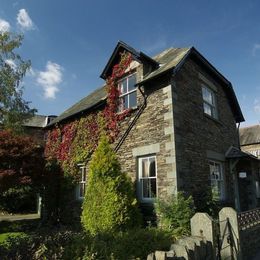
170	59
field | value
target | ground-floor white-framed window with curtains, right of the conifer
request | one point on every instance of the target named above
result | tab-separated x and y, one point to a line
147	177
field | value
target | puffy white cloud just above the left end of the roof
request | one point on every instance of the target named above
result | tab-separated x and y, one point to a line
50	79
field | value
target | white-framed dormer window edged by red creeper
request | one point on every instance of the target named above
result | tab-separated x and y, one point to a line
127	98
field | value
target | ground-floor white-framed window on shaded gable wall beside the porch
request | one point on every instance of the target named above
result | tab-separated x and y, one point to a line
217	180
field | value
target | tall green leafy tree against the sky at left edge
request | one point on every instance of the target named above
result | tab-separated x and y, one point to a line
14	110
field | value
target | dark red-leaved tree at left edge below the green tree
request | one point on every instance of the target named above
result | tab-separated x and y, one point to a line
21	168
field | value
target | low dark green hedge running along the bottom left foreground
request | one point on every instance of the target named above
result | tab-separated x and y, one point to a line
67	245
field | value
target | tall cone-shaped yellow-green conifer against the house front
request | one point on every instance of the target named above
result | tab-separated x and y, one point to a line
109	203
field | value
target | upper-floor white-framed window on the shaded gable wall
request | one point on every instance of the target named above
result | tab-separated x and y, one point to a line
209	101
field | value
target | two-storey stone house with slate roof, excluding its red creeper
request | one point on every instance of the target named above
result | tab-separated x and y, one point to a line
182	134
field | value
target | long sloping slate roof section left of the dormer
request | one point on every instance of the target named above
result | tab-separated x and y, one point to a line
96	97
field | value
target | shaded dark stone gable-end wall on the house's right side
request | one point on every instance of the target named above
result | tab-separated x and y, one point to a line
198	136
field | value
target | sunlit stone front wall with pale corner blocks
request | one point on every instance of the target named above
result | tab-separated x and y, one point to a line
152	135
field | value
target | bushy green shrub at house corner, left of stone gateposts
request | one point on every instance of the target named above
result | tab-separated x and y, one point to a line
174	213
